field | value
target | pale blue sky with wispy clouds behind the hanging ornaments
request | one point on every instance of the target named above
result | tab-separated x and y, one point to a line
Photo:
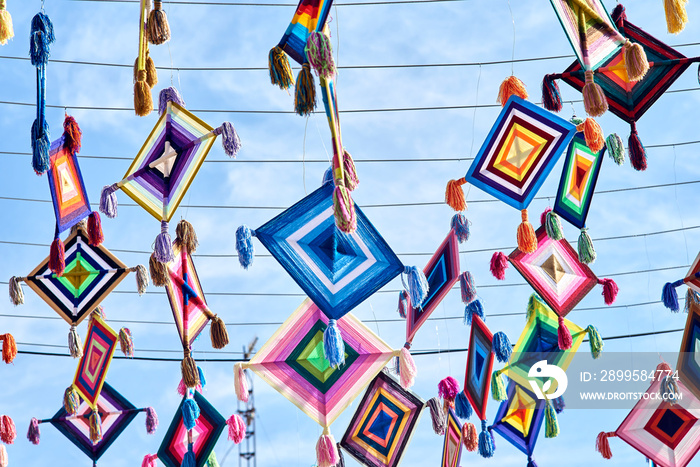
262	177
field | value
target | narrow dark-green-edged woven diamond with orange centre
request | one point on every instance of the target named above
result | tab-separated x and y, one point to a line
578	180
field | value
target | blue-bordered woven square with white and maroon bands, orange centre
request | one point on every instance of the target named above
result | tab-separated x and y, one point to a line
519	152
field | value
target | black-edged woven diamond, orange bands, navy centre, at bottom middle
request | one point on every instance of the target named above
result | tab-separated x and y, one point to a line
383	424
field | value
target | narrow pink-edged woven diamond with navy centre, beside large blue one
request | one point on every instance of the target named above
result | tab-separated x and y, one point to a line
442	271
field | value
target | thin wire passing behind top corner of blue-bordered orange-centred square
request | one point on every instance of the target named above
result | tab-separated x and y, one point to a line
320	112
